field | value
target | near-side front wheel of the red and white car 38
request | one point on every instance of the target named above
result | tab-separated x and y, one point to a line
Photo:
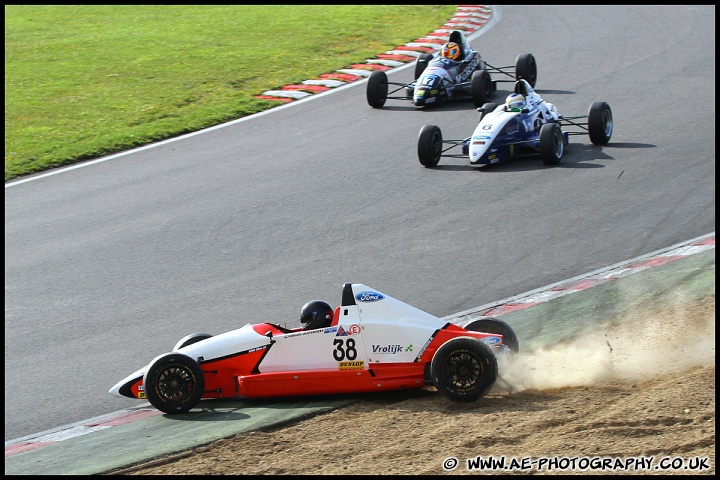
174	383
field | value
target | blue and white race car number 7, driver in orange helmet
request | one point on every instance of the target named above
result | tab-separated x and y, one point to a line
455	72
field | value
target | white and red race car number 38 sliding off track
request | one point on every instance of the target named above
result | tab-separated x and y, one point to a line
372	342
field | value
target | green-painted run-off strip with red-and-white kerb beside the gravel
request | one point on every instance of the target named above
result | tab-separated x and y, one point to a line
541	318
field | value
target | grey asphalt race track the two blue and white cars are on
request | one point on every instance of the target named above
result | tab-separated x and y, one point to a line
109	265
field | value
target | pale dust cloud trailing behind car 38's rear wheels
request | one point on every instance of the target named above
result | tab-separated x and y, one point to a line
630	349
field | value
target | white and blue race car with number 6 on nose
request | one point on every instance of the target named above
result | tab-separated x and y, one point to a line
525	125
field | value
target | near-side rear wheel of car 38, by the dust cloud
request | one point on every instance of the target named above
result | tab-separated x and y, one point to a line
464	369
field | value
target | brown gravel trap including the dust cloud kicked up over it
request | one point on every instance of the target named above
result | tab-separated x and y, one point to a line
572	406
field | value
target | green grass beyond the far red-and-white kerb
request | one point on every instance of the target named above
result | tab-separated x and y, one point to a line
87	81
